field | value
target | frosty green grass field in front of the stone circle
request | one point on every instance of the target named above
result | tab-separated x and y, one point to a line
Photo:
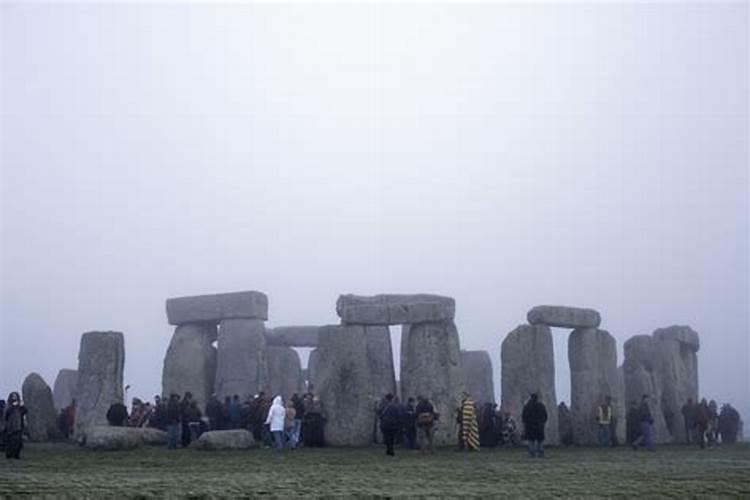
679	472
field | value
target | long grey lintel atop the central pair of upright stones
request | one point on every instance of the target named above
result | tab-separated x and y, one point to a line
391	309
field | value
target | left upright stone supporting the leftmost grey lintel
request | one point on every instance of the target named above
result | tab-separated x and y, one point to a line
190	363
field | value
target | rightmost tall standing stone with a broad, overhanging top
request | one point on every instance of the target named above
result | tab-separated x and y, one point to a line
678	374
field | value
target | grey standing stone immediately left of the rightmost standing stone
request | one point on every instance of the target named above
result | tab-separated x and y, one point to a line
641	373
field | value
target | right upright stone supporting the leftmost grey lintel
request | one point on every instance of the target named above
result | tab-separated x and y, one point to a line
241	358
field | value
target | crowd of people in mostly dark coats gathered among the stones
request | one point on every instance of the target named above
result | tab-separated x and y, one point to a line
301	420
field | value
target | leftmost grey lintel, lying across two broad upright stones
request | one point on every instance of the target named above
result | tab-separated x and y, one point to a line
218	307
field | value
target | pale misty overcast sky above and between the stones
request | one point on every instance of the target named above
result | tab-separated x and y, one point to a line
504	155
